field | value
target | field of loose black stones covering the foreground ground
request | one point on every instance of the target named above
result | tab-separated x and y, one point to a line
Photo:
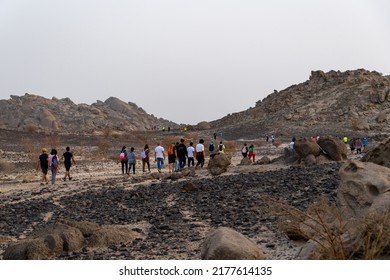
231	201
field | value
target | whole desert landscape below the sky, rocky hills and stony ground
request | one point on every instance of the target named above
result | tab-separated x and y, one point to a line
168	216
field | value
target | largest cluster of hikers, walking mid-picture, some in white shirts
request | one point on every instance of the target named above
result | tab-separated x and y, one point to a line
178	153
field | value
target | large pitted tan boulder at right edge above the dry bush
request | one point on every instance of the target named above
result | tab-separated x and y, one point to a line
364	189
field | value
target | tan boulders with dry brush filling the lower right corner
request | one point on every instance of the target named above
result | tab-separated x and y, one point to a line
359	226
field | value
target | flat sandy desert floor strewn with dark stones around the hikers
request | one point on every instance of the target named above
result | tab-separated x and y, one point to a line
171	213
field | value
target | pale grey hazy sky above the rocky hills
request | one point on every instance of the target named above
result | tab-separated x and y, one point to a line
183	60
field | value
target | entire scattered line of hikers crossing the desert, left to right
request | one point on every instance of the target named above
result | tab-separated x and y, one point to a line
179	156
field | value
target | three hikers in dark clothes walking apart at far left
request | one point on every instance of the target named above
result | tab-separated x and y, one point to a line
52	161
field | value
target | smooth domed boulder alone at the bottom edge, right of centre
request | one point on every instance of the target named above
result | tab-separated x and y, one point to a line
228	244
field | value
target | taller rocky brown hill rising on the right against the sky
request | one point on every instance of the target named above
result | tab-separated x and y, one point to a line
352	103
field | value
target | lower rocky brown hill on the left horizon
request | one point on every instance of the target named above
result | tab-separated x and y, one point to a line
36	113
